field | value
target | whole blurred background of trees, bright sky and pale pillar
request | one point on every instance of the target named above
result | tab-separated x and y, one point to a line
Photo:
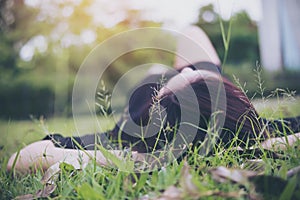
43	43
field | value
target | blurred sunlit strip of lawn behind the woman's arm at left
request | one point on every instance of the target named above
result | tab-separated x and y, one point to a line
16	134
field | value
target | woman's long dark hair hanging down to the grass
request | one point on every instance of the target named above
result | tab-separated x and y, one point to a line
241	120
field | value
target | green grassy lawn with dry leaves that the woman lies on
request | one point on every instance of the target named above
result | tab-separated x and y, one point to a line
191	178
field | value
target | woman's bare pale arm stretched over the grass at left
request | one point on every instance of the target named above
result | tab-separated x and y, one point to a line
43	154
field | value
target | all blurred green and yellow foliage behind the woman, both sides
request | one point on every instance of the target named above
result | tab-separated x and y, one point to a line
43	85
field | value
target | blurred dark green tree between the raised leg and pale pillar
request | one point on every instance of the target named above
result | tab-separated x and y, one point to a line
243	47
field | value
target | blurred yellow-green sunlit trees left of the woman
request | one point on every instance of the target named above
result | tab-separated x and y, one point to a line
44	43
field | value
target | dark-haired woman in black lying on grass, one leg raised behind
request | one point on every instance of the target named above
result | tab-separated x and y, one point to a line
195	104
